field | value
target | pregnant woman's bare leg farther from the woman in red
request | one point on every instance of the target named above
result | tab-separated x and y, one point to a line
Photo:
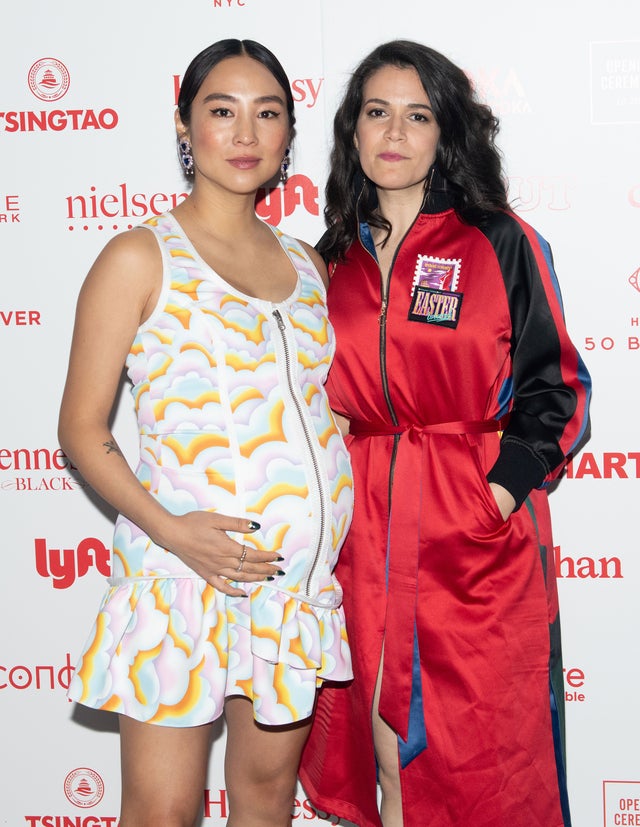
164	772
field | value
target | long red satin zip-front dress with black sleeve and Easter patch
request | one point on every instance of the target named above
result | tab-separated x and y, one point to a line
465	602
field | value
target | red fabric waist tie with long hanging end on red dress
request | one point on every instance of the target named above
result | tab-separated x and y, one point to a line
401	692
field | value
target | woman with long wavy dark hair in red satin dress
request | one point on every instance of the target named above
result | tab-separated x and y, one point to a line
463	396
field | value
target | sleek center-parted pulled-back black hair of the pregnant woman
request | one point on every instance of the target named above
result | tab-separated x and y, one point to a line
208	58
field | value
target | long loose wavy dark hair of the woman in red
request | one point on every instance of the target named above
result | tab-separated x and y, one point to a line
466	155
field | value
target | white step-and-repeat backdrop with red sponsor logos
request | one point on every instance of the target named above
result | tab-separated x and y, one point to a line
87	93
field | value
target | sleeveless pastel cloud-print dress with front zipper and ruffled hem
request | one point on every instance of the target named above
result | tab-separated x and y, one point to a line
233	418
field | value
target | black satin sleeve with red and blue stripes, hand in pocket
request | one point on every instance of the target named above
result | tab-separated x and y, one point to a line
543	402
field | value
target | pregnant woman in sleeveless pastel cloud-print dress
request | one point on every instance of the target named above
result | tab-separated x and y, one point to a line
222	599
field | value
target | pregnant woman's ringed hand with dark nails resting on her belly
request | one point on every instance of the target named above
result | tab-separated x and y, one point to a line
201	541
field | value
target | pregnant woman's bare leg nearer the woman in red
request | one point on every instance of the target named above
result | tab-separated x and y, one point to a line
261	767
